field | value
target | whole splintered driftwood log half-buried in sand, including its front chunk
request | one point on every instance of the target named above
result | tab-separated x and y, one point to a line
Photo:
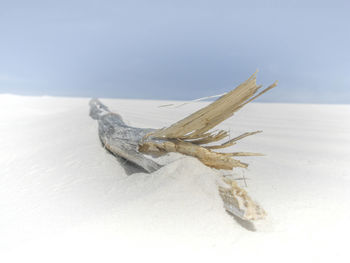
192	136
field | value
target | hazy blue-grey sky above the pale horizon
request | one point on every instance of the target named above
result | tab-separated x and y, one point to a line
177	50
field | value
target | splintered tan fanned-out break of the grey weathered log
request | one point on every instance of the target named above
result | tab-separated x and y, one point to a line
190	135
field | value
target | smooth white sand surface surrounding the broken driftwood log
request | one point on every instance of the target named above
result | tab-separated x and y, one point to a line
64	198
